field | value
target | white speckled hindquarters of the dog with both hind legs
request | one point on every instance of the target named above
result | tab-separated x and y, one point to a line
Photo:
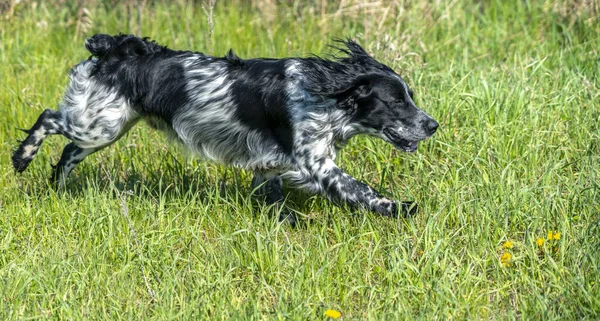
92	115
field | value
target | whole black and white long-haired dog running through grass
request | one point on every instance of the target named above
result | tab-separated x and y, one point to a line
280	118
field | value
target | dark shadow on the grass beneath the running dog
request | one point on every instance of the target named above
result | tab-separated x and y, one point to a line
172	183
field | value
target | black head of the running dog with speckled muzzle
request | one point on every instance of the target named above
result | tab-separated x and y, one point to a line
380	103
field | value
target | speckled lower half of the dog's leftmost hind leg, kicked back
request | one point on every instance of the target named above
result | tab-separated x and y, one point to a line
48	123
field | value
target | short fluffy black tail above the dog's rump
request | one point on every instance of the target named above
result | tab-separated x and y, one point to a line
121	46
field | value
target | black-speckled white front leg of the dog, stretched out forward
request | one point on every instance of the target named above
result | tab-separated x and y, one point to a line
342	188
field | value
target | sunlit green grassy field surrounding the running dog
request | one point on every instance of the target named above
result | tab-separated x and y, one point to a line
144	232
